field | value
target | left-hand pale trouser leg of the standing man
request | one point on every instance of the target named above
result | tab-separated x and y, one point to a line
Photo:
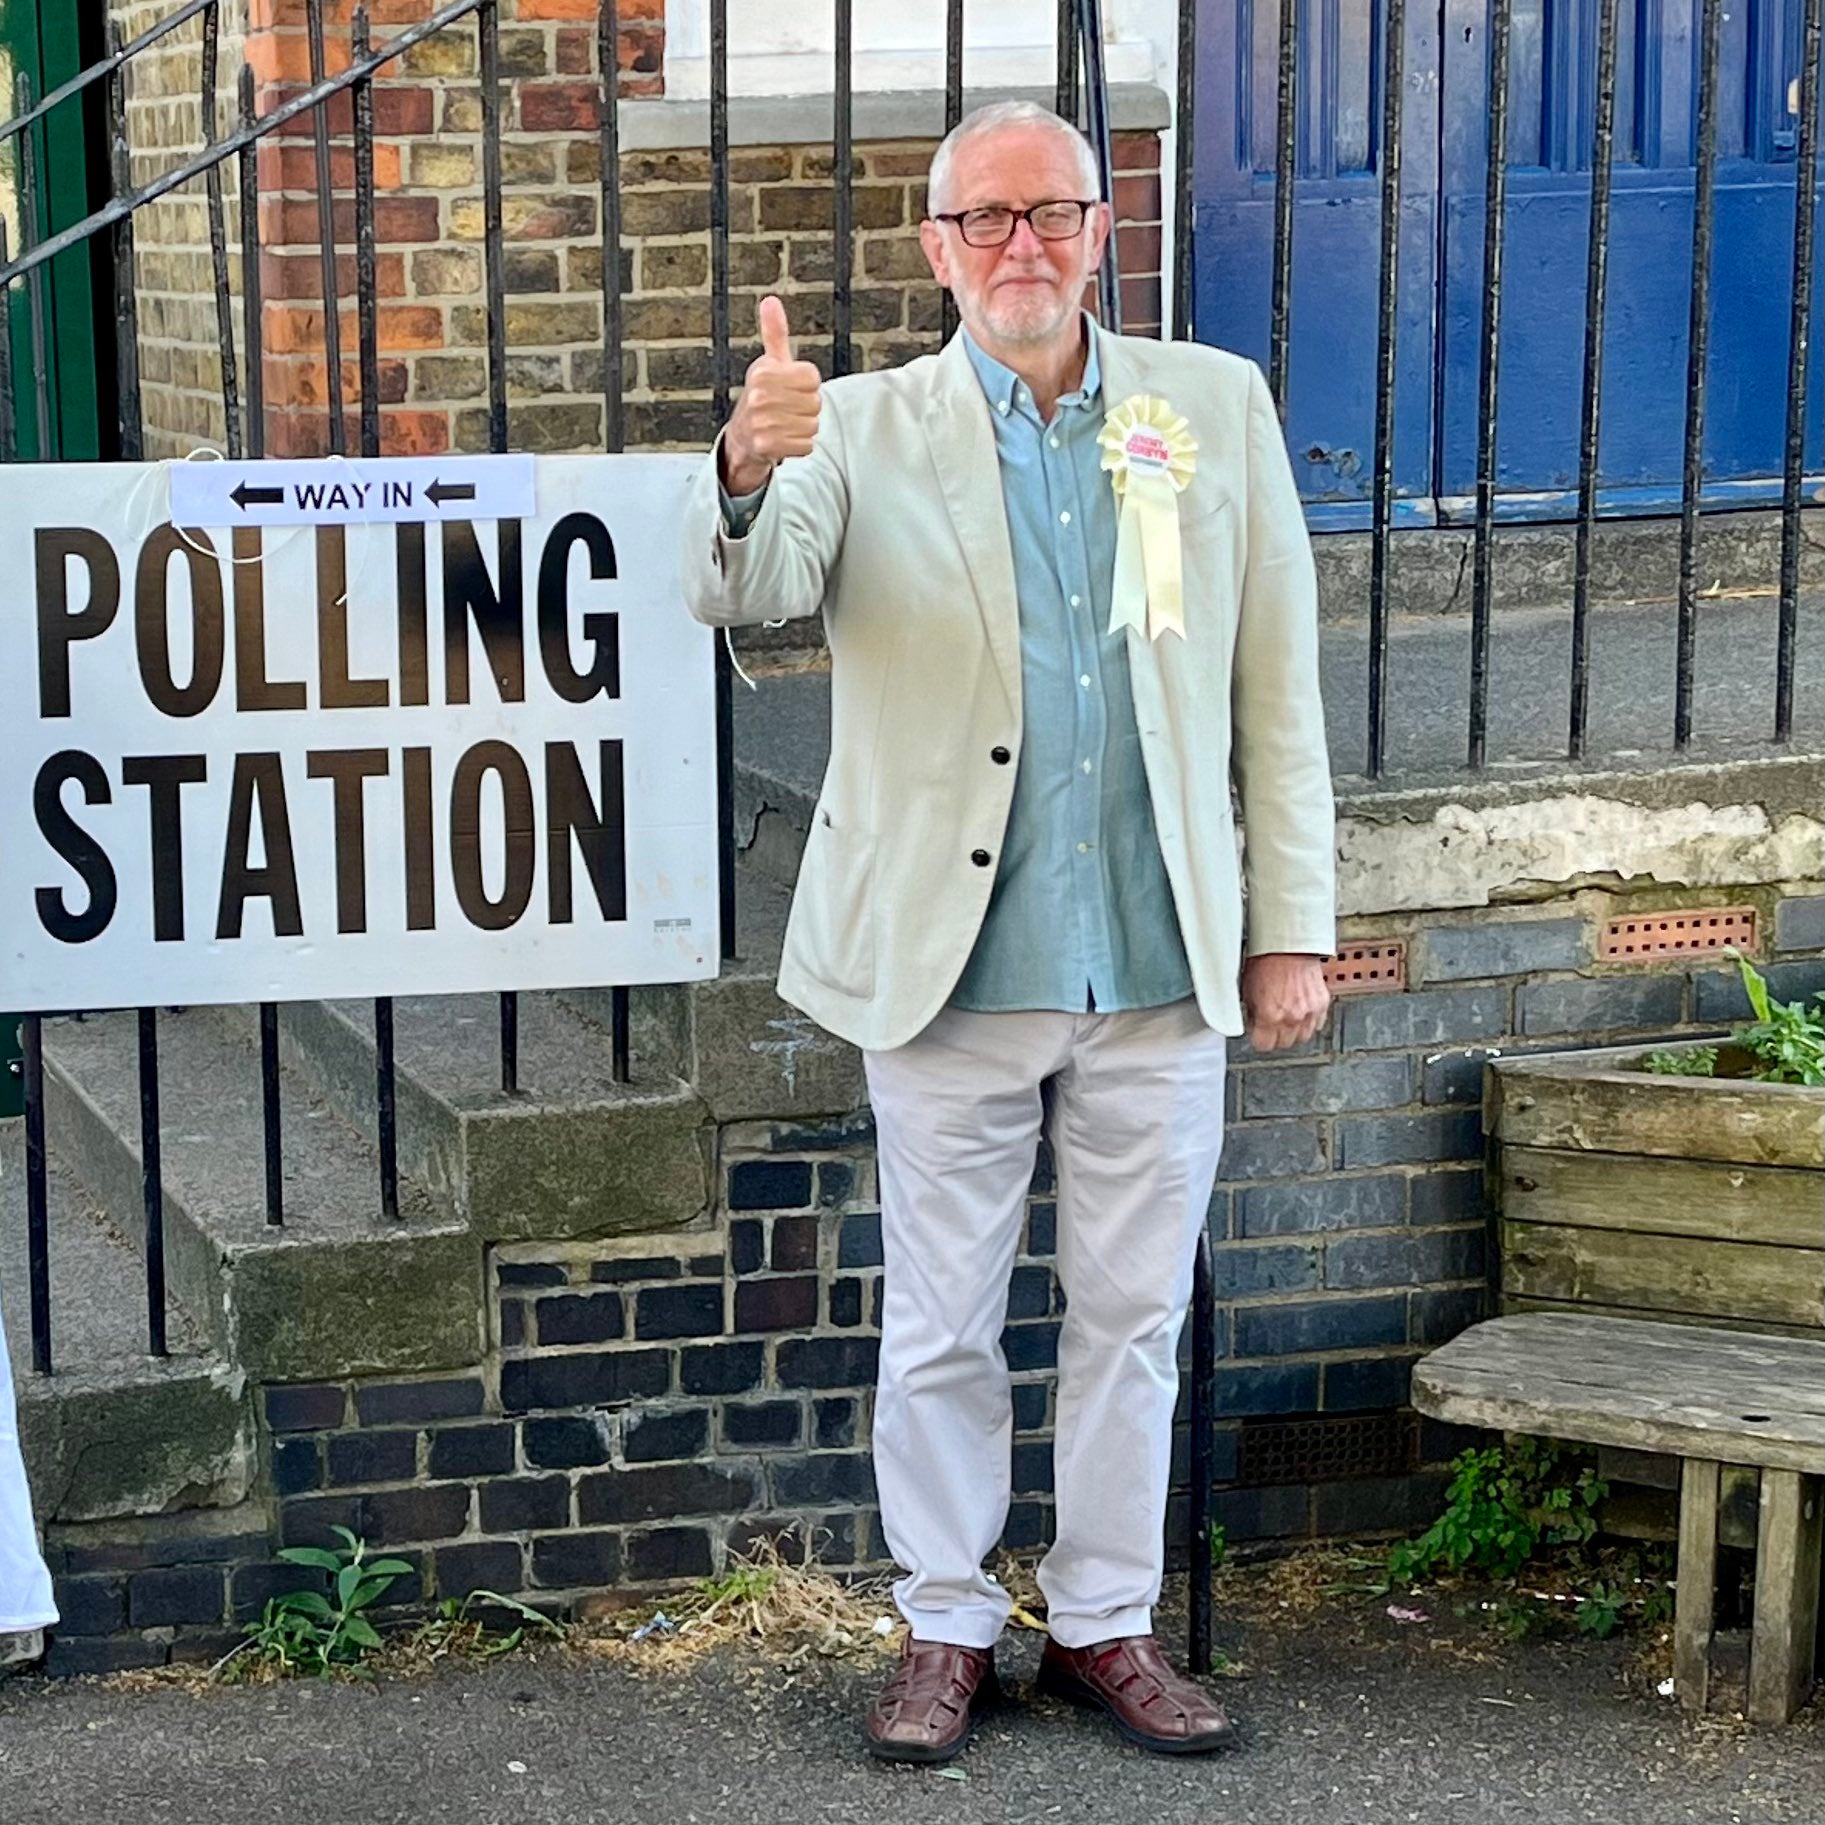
957	1118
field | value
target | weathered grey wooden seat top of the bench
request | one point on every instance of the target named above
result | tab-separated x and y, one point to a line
1651	1388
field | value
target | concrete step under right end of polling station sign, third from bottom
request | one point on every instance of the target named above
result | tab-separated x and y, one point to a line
572	1154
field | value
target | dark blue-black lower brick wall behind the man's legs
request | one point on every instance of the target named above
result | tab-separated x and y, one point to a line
654	1403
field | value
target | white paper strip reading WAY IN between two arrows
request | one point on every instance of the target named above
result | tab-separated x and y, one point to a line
351	490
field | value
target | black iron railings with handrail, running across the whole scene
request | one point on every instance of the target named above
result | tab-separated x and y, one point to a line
1083	96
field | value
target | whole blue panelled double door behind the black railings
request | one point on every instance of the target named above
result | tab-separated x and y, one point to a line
1552	107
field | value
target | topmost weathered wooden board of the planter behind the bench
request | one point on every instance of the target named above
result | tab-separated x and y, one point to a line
1559	1101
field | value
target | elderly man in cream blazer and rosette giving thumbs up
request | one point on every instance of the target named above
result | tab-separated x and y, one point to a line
1069	596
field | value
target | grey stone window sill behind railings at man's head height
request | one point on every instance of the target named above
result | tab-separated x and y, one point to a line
809	120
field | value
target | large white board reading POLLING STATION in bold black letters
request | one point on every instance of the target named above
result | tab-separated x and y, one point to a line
344	751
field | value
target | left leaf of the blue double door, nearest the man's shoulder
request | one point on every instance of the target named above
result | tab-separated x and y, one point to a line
1337	235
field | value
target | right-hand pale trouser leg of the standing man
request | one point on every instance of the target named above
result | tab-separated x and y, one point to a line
1136	1134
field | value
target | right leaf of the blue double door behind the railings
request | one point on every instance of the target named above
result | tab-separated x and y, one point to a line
1552	109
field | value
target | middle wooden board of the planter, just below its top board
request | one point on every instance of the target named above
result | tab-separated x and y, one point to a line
1705	1198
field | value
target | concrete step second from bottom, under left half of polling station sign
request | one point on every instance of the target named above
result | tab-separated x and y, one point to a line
337	1289
